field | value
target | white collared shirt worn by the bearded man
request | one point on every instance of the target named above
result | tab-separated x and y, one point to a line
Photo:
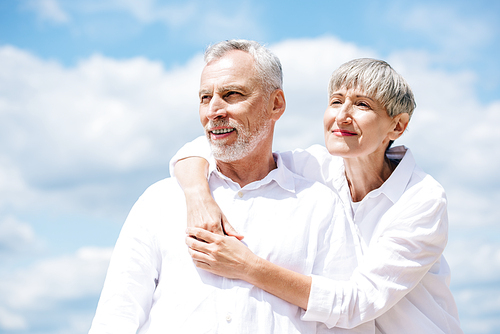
152	285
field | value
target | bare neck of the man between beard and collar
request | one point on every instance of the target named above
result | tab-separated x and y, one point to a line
249	169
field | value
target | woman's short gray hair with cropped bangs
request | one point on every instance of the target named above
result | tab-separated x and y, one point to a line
377	79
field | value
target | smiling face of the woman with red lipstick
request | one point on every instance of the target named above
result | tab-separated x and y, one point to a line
356	125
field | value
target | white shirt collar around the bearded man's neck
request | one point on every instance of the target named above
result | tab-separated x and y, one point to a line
281	175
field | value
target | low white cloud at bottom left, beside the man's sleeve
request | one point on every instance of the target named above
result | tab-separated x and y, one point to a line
28	294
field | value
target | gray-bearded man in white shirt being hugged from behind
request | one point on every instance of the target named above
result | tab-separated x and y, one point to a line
153	286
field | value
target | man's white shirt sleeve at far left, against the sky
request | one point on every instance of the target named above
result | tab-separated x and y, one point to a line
131	279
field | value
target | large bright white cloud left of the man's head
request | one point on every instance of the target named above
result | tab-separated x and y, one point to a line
65	129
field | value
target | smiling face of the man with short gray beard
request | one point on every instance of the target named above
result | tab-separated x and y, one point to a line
233	106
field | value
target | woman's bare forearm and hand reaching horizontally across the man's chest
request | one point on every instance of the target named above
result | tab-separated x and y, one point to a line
228	257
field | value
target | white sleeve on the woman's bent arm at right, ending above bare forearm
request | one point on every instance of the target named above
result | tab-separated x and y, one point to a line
407	246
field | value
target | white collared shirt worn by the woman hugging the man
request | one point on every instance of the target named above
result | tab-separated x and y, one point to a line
403	280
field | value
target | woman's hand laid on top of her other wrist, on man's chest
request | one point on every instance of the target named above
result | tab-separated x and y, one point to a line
221	255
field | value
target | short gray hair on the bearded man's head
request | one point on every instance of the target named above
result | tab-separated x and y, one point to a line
268	66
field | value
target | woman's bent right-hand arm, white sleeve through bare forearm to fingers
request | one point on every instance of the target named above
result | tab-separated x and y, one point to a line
391	268
